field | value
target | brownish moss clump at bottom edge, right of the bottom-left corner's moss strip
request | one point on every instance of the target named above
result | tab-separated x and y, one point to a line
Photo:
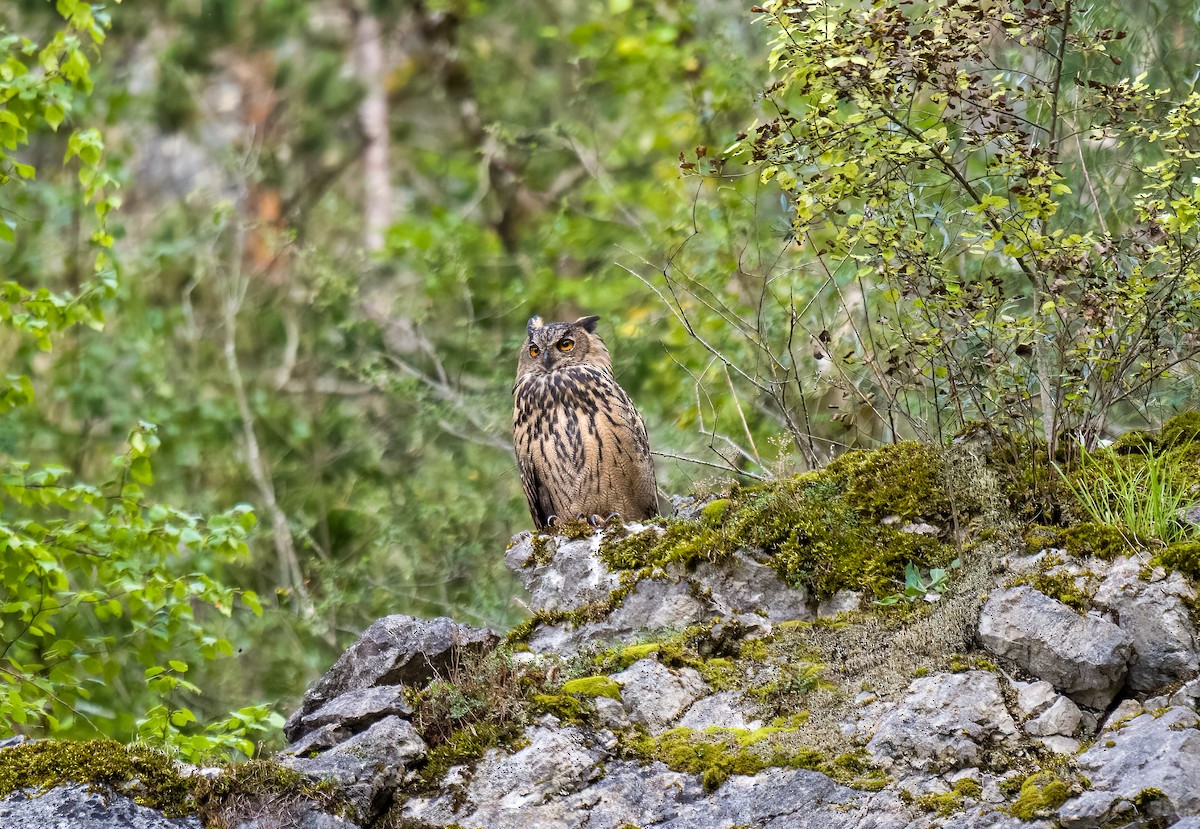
257	790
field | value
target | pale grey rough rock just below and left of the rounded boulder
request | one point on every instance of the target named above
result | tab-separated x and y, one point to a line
945	723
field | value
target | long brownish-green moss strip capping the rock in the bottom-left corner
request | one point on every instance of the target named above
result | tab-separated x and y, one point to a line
146	776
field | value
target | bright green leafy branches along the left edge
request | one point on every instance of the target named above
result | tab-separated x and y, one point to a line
107	596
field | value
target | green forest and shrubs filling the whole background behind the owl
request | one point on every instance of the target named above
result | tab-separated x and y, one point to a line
269	263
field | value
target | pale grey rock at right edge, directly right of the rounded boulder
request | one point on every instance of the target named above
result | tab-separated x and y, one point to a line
1155	615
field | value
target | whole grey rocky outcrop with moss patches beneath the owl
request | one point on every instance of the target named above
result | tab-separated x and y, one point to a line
711	694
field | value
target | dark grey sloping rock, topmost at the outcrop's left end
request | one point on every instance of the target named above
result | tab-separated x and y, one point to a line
394	651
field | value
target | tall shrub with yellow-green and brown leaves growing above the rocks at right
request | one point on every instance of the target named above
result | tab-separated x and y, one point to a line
961	244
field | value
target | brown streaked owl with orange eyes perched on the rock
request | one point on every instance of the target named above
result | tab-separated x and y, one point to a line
581	446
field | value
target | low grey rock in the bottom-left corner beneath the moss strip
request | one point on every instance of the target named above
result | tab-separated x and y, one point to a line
76	808
